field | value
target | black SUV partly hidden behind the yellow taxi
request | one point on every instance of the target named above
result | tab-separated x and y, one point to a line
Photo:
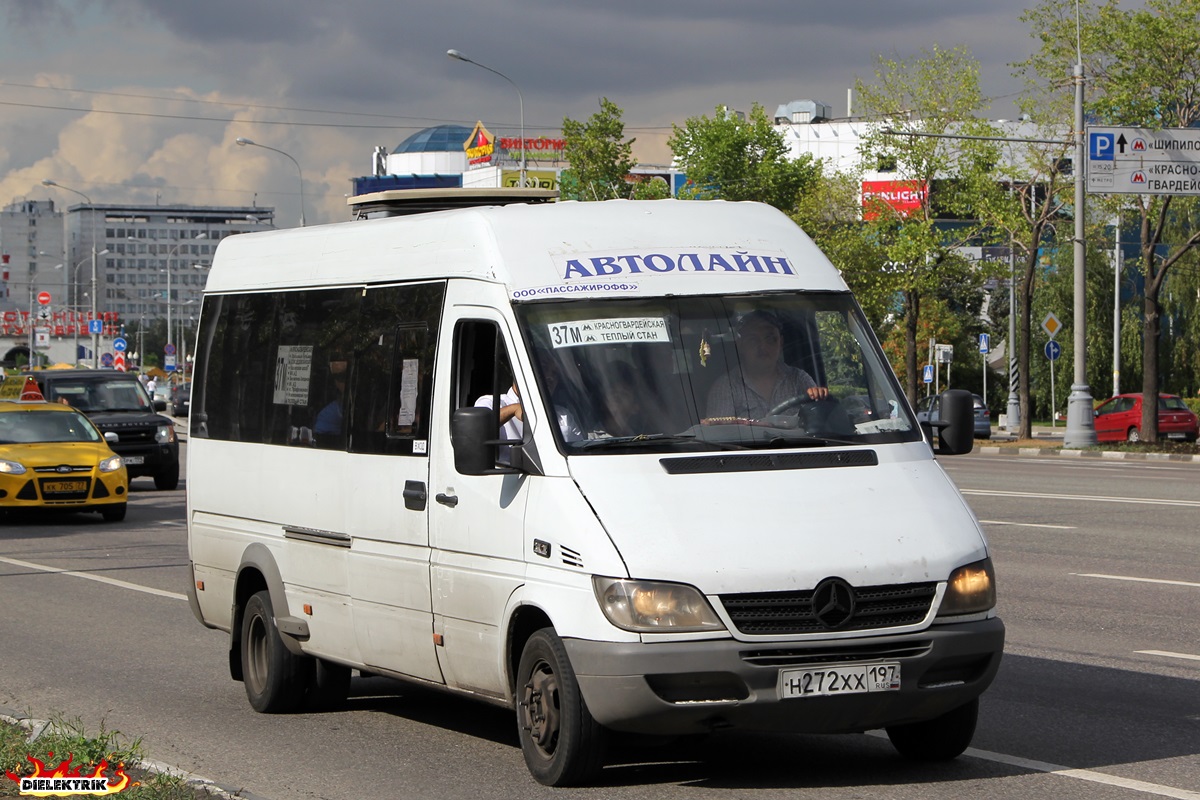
118	404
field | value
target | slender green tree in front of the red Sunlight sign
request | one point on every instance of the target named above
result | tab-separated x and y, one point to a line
935	94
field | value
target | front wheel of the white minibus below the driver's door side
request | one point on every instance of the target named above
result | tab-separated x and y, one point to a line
562	744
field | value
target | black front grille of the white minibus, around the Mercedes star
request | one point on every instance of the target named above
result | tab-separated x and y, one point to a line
777	613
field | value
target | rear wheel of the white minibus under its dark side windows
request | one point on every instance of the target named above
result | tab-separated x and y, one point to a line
277	679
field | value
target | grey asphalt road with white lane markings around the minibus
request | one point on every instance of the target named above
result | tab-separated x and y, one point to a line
1097	697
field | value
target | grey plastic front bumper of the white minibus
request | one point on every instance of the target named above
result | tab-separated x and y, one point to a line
700	687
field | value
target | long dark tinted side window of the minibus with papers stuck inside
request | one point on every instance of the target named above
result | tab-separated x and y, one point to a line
333	369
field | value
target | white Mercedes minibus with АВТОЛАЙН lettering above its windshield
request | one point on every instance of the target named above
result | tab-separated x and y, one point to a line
623	467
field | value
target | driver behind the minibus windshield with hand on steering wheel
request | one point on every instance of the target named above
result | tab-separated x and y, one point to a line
764	381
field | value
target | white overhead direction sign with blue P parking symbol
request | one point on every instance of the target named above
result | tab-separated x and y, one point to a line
1144	161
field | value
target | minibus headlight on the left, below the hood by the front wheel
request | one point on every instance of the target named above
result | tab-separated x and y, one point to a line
649	606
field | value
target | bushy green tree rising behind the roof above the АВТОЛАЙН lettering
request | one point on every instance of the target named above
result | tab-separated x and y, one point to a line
741	159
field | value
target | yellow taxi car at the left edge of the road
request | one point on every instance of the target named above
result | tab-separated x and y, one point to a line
53	458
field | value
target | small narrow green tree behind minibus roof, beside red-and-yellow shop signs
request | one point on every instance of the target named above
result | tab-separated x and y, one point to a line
599	157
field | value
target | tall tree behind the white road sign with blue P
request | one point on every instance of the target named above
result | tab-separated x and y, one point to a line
1143	70
